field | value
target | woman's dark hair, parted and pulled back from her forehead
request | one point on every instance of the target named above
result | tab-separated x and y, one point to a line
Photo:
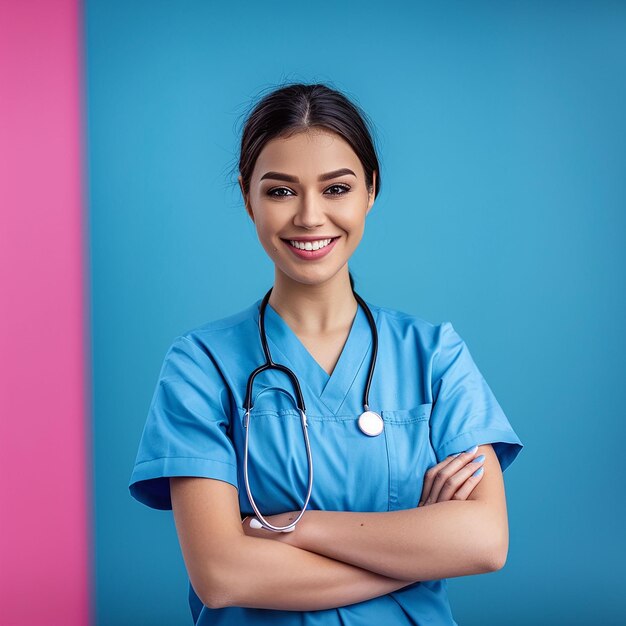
297	107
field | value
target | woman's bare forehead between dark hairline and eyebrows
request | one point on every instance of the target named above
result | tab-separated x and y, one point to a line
314	150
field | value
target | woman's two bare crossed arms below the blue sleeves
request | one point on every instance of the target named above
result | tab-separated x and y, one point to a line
334	558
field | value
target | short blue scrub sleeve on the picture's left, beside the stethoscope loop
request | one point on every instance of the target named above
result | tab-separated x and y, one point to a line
186	430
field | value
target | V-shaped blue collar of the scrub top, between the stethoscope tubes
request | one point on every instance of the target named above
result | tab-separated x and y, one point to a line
287	349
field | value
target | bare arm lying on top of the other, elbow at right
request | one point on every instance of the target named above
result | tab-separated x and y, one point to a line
441	540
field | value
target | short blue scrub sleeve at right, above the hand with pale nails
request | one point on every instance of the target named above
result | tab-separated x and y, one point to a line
465	411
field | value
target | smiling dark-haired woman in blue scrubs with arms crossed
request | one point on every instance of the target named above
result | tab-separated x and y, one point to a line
393	512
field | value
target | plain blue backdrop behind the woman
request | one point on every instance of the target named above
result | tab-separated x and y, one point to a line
502	140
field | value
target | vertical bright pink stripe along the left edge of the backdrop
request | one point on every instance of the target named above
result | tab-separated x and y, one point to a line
45	463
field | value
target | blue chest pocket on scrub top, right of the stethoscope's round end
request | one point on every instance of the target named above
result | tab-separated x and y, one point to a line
409	452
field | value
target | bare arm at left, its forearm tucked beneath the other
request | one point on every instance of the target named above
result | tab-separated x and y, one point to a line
227	568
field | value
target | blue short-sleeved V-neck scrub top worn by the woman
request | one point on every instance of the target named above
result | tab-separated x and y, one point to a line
431	395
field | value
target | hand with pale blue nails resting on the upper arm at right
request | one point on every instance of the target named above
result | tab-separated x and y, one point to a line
452	479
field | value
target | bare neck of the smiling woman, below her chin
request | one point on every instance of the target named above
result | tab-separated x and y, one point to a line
314	309
